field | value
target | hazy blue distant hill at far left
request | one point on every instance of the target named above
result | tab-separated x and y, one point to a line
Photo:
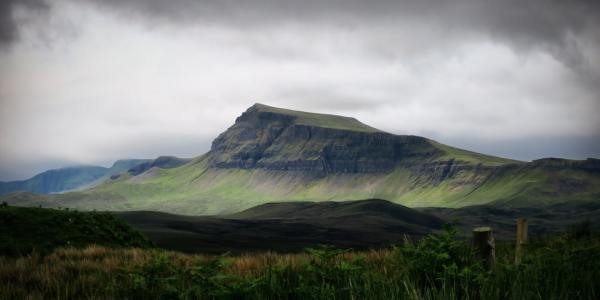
65	179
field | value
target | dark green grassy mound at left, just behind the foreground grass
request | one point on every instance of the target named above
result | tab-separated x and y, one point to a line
25	229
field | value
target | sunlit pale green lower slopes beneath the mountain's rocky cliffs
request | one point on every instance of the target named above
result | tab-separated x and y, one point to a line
195	189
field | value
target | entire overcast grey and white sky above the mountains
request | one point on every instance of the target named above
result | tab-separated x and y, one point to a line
89	82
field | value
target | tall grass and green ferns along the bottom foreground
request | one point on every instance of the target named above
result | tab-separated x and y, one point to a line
436	267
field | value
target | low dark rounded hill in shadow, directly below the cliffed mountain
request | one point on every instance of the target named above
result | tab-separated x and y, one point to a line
290	226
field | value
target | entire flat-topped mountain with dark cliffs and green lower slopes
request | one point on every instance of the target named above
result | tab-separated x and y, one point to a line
278	155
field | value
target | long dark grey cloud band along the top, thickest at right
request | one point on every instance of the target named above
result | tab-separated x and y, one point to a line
553	25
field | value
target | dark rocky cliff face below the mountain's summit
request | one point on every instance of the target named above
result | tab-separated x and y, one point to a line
270	139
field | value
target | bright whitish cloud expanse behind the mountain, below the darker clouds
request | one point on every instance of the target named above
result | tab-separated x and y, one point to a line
119	88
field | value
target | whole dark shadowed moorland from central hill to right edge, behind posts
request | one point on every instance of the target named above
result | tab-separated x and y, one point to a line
292	226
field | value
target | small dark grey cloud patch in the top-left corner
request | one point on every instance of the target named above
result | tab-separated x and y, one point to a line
9	23
